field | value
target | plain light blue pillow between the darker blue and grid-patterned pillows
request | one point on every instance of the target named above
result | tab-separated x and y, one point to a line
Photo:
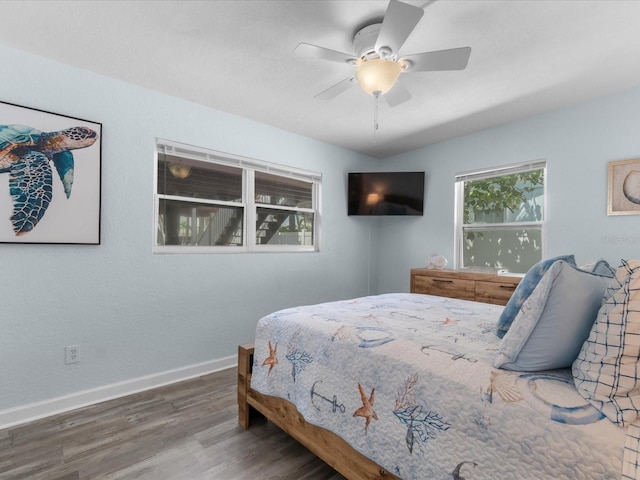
554	322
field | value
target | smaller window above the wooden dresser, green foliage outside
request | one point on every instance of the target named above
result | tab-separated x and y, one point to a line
500	217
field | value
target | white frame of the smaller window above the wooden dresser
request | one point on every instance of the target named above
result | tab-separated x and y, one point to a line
460	228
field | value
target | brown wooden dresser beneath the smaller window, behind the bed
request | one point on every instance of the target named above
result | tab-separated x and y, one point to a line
464	284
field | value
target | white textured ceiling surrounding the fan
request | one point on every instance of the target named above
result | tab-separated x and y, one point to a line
237	56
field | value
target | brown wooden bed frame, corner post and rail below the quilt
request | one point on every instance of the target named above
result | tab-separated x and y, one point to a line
325	444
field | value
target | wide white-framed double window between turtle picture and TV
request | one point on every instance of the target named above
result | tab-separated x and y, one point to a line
212	202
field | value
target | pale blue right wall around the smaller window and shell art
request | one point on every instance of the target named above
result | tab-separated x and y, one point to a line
578	142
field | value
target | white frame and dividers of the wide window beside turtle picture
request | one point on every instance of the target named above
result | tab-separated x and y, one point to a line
249	166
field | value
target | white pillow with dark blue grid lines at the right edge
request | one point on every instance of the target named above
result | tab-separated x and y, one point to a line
606	369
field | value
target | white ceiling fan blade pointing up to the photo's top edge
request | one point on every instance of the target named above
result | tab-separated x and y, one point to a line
398	23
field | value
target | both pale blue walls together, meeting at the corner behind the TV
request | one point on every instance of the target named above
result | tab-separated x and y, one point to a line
135	314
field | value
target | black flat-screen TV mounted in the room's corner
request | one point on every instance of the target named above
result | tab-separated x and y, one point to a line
386	193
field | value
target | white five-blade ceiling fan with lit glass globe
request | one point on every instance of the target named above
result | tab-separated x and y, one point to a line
377	61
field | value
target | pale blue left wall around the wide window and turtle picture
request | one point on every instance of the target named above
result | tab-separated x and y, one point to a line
131	312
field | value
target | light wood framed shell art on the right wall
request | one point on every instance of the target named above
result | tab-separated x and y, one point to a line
624	187
